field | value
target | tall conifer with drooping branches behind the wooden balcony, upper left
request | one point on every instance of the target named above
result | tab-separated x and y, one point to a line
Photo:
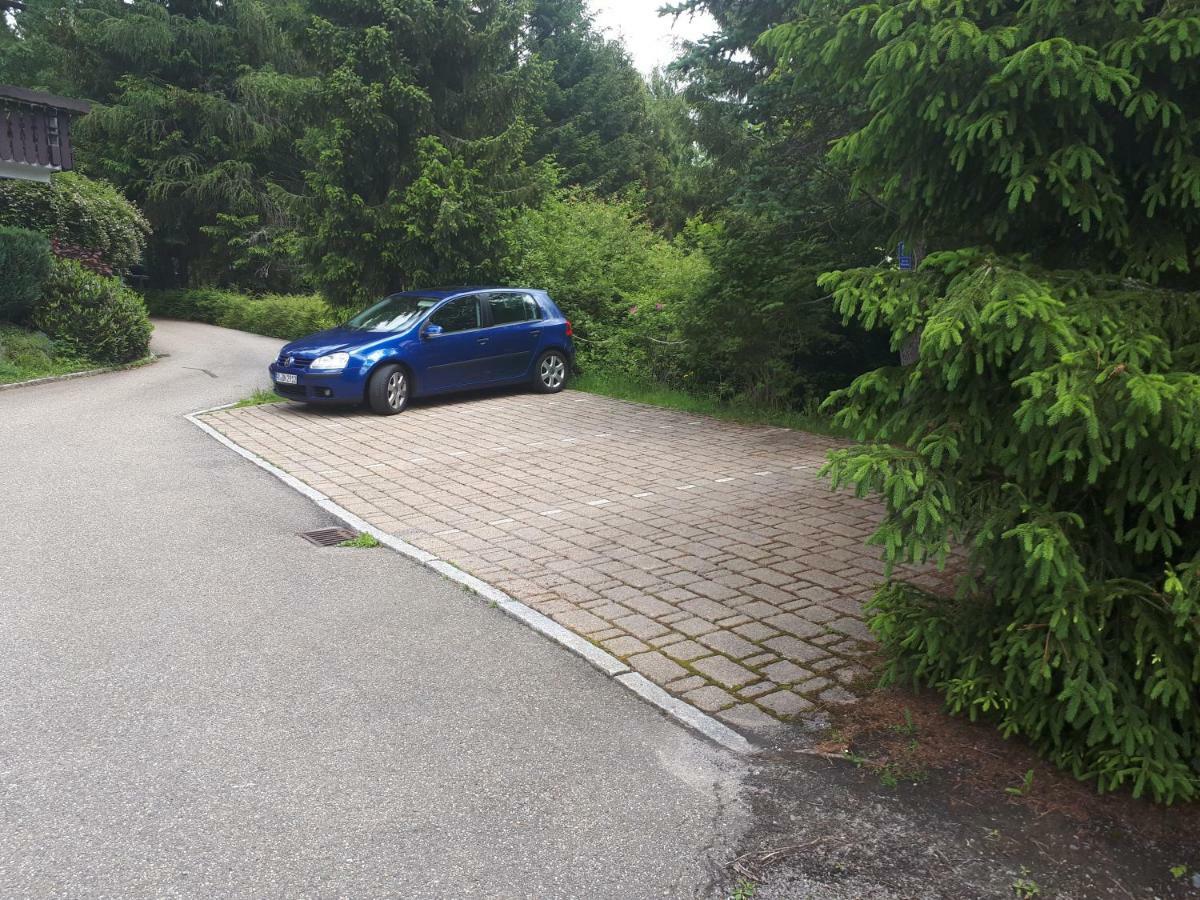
179	123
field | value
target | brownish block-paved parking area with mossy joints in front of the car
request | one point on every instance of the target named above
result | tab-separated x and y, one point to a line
706	555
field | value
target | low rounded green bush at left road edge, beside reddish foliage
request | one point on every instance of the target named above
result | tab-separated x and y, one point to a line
93	316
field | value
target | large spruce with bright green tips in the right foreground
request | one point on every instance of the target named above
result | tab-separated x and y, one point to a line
1049	429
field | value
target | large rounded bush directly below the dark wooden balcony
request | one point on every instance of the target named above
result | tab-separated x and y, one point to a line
81	214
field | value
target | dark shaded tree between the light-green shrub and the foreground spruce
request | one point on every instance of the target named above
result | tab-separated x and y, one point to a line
777	215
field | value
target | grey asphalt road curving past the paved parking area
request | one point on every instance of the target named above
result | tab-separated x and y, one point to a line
195	703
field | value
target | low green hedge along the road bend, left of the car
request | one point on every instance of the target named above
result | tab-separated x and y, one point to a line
274	315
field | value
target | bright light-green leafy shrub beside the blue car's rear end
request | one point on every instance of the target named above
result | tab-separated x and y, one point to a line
622	285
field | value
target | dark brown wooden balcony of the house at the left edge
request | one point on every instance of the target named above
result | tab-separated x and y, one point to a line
35	133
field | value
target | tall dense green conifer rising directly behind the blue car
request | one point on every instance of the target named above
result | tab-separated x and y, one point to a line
421	159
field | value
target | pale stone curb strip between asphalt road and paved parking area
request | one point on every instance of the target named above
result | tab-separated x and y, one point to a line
682	712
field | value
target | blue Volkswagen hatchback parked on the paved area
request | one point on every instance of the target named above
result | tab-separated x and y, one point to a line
418	344
